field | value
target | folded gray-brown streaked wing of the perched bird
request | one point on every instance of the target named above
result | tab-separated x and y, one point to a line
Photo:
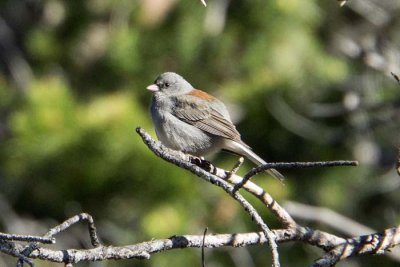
207	119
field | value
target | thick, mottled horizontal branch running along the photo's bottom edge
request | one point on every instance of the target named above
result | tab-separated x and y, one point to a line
357	246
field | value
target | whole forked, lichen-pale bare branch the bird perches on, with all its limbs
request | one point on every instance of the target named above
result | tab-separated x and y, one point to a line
336	247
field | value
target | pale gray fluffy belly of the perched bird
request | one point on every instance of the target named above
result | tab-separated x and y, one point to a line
179	135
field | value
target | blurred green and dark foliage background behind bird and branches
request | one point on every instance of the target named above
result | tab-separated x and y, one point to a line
304	80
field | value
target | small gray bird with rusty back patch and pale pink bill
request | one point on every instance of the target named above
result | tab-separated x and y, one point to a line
195	122
